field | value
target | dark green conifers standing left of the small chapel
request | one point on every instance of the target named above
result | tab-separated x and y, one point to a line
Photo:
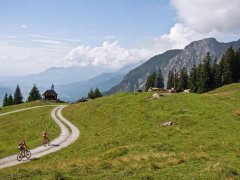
17	98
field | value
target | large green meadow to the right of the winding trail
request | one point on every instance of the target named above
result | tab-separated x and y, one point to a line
121	138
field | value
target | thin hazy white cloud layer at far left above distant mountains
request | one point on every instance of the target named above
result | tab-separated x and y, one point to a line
20	60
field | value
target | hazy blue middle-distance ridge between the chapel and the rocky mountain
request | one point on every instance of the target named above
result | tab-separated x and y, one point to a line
74	91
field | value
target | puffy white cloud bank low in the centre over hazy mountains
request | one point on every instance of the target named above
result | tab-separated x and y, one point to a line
108	54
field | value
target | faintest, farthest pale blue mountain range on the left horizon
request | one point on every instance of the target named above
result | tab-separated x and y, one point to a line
56	75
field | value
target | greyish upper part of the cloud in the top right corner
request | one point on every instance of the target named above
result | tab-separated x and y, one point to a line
207	16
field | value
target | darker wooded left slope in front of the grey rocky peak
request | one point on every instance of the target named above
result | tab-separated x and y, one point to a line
136	78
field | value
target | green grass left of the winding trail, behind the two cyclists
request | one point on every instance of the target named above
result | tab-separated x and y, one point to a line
27	125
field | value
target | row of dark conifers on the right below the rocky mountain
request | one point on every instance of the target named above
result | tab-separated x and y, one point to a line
206	76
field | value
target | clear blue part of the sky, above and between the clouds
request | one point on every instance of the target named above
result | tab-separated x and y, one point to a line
88	21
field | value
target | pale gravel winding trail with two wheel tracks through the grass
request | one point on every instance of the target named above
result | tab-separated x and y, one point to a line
65	139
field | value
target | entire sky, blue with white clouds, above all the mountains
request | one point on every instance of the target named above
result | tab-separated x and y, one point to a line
36	35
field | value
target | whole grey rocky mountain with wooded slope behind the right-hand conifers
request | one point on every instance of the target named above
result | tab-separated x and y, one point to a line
192	54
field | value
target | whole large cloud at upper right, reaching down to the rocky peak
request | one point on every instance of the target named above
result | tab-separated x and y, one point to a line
198	19
